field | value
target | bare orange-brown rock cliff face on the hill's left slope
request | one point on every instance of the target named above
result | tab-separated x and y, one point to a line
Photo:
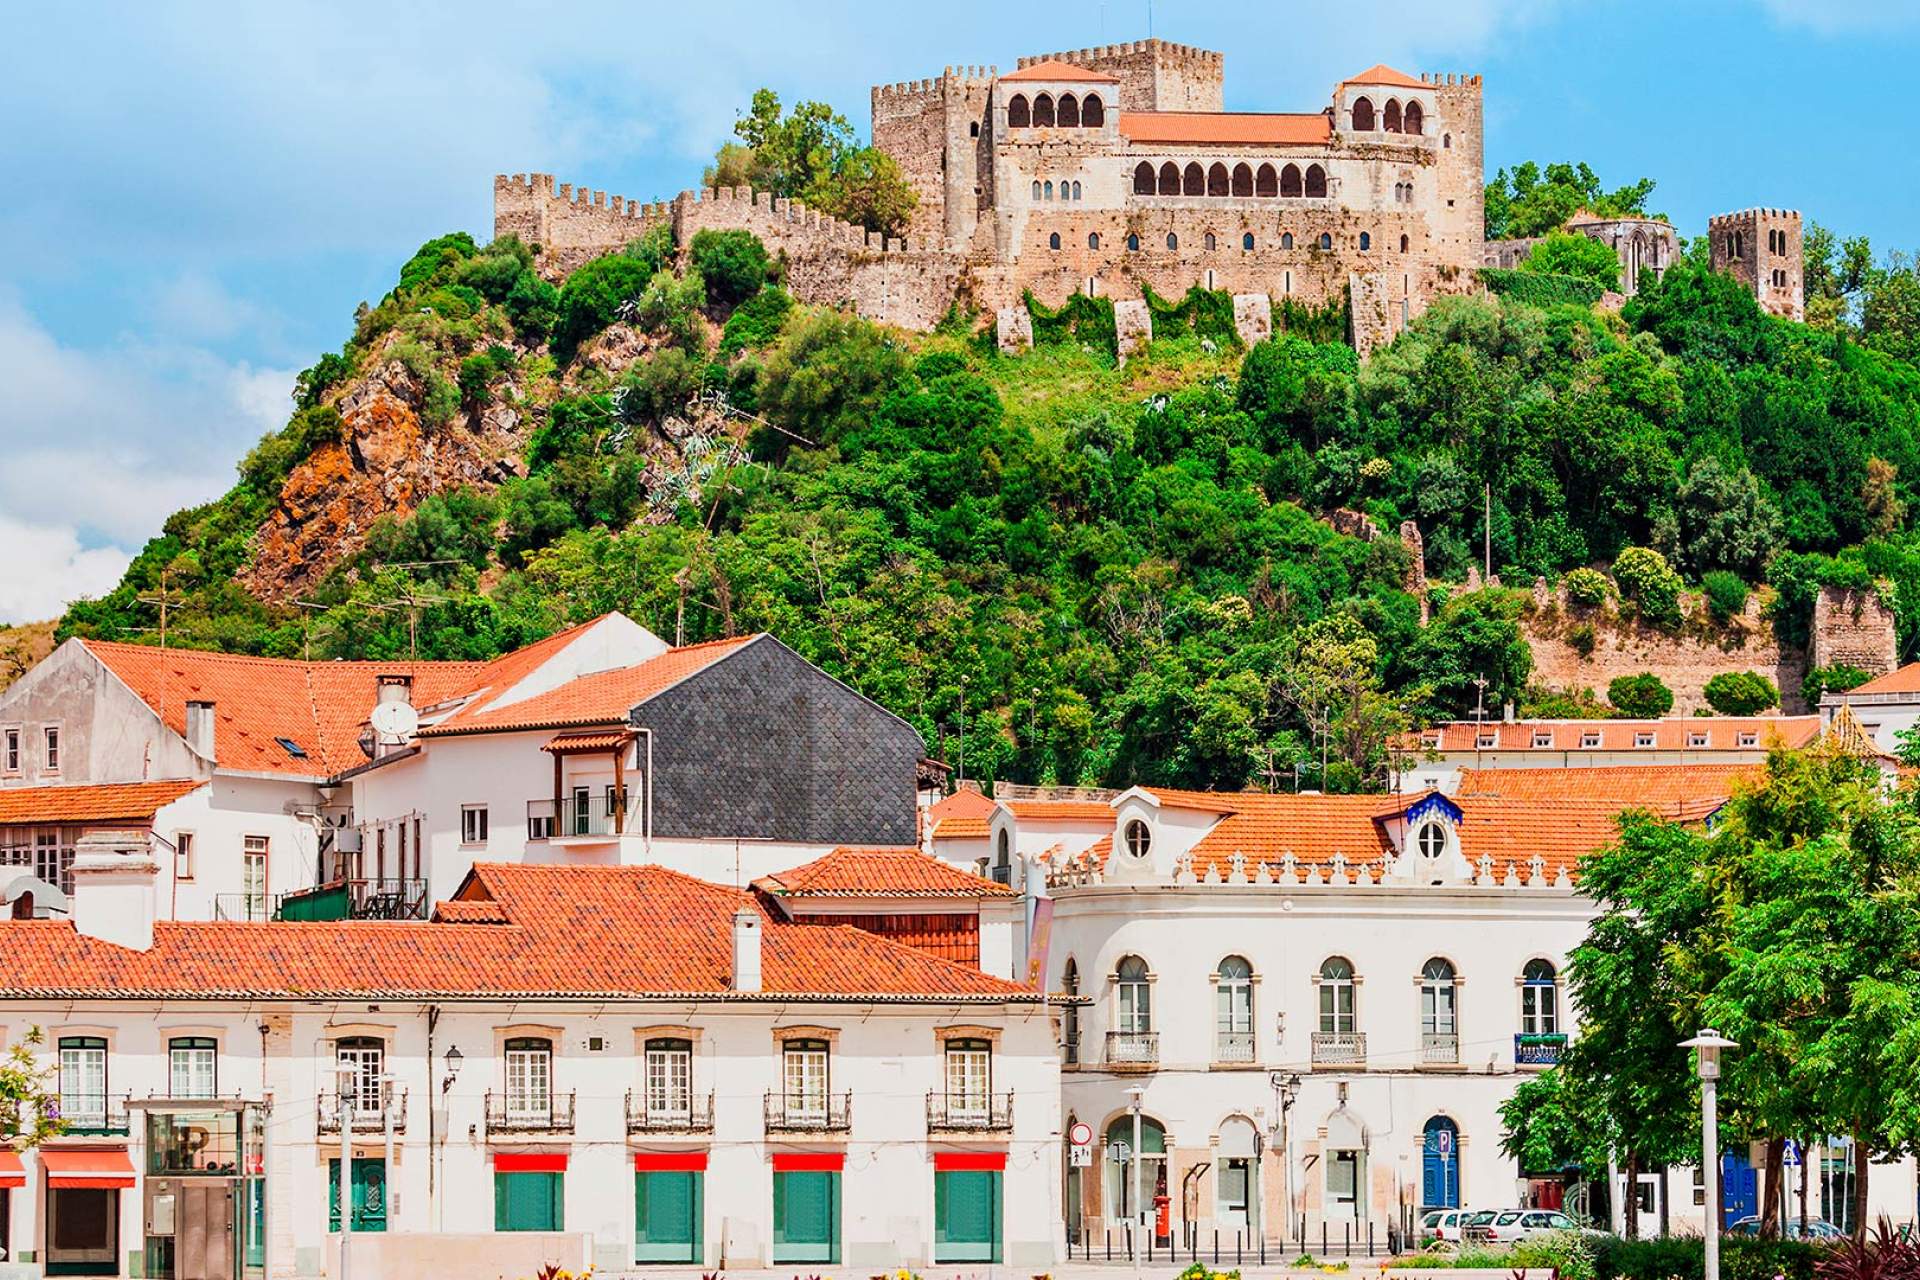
387	462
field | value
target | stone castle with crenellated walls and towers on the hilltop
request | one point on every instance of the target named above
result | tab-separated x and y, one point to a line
1116	170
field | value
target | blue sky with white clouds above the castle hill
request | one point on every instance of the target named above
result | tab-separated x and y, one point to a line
201	195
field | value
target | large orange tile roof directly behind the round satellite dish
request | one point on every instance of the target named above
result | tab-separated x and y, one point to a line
320	707
